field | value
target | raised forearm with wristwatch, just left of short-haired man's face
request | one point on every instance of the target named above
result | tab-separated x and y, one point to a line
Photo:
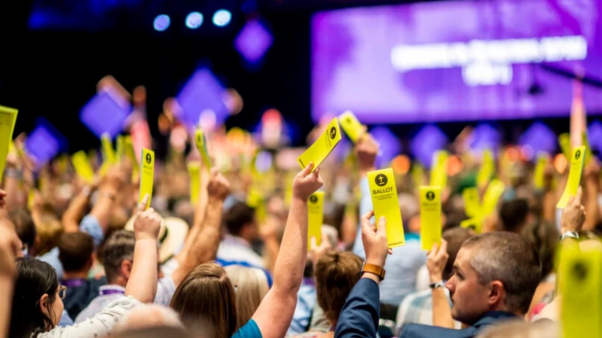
437	258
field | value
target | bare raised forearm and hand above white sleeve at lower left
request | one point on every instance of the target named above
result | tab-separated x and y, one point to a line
142	283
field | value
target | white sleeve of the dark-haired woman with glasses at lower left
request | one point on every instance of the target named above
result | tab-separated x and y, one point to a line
100	325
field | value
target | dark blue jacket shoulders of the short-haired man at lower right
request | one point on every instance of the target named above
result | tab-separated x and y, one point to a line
425	331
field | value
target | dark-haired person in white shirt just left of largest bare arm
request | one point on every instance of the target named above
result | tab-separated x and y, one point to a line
239	221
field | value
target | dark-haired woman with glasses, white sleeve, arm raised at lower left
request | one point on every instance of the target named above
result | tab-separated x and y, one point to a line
37	300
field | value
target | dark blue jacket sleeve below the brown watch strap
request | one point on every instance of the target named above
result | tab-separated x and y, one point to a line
359	317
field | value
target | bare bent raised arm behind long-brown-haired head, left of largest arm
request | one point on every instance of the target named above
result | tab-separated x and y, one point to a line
206	243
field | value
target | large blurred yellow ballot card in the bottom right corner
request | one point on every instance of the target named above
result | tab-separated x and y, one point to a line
580	277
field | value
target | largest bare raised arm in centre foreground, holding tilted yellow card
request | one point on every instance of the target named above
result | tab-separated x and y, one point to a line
281	300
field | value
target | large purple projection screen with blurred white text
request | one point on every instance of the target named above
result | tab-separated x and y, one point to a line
456	61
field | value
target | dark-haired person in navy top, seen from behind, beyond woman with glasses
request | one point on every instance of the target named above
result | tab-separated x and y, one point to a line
75	253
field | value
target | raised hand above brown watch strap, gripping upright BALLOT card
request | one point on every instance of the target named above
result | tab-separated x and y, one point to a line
375	240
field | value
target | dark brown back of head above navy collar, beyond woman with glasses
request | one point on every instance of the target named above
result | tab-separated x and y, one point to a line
75	251
